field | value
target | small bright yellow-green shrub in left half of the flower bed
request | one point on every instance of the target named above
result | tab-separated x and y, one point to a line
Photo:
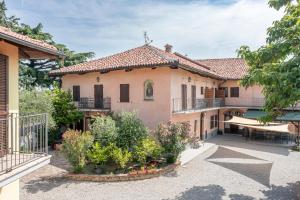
97	155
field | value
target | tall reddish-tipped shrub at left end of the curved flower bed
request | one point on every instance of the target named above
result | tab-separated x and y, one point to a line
75	147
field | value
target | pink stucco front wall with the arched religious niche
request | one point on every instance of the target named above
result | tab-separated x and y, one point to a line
151	112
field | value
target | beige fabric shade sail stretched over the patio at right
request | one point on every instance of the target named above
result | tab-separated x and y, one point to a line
254	124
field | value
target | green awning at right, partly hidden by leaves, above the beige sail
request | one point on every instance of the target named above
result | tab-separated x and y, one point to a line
289	116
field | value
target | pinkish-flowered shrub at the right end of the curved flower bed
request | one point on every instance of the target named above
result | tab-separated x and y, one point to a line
172	137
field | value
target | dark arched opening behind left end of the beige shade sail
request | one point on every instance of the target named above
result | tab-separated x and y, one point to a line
232	128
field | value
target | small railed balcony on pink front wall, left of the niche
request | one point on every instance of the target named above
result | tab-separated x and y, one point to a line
87	103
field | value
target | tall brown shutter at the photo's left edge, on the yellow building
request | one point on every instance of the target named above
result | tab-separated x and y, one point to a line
3	103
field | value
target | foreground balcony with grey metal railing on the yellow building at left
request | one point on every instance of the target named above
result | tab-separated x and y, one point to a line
23	144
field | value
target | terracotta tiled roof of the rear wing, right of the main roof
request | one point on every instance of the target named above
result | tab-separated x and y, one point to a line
230	68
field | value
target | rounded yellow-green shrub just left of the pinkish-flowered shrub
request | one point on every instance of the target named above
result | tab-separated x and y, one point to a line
147	149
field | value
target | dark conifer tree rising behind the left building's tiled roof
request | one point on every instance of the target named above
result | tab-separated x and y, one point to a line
34	73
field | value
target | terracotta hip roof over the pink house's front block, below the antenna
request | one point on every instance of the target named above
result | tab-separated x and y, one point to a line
139	57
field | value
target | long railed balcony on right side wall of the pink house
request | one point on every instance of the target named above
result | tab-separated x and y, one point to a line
190	105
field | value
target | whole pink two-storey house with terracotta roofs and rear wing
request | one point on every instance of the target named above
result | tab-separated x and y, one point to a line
163	86
